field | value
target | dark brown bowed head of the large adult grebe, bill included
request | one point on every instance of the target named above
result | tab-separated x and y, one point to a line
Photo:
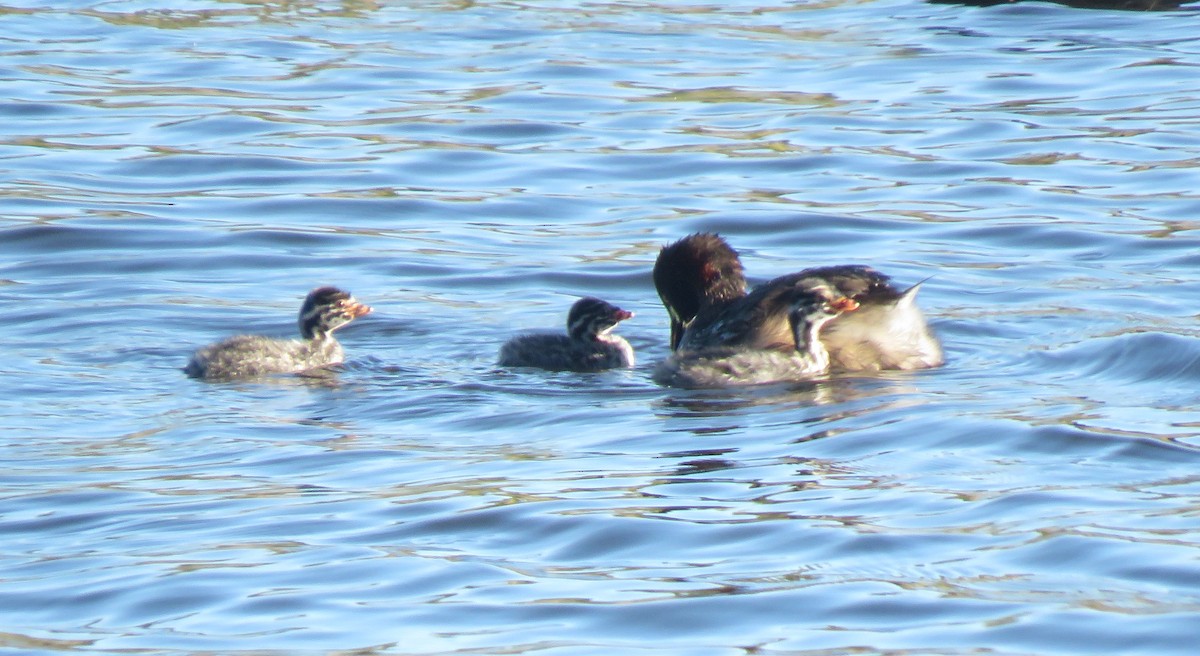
698	272
